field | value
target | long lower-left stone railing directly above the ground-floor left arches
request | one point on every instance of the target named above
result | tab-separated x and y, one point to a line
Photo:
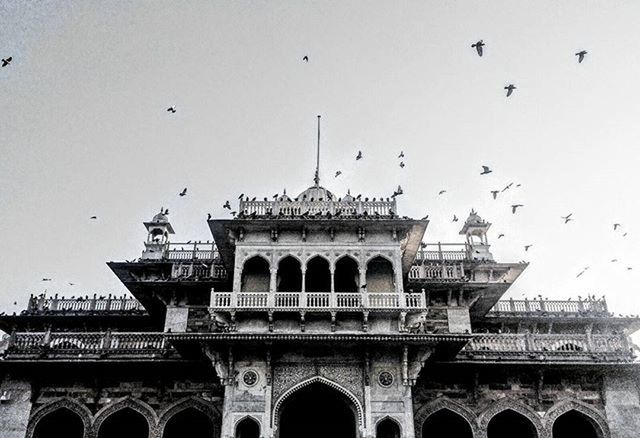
87	345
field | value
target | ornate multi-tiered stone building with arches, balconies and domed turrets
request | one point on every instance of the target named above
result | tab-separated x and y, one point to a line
317	316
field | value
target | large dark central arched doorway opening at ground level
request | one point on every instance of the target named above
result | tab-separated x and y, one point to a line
317	411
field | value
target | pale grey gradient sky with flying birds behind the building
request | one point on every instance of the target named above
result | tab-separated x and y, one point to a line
84	129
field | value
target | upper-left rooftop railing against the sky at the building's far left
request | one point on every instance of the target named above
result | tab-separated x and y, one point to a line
108	304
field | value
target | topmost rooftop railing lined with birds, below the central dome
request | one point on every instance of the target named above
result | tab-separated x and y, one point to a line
318	208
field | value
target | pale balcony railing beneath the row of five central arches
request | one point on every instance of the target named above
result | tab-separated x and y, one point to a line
345	301
